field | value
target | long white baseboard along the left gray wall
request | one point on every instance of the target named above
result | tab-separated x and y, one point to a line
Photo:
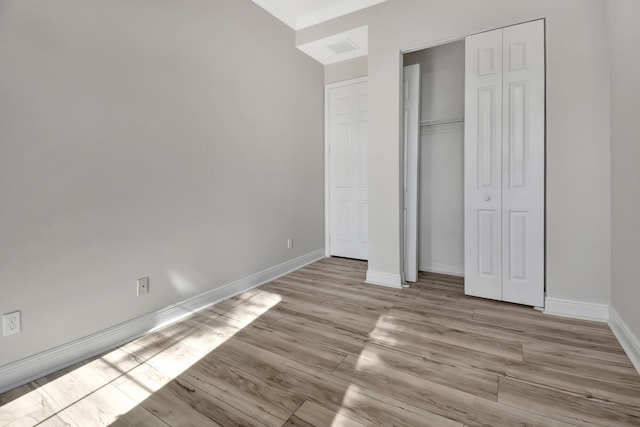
33	367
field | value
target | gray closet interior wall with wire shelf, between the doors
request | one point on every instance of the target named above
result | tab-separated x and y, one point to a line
441	186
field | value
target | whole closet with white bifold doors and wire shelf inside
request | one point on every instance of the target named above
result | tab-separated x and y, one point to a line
481	156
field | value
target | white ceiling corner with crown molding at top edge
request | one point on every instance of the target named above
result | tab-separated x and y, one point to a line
300	14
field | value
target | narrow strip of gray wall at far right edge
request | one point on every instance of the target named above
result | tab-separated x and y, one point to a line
625	158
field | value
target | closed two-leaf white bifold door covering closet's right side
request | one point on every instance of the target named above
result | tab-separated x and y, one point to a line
504	164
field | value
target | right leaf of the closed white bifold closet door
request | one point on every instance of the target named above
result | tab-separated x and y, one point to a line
523	164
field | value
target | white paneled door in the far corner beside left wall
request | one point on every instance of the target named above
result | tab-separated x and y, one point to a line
348	124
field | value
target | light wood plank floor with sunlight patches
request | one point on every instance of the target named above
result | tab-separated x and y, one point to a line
318	347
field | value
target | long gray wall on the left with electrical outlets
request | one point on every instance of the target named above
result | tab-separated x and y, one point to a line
181	140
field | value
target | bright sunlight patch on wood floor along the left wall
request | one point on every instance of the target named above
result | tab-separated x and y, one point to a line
116	383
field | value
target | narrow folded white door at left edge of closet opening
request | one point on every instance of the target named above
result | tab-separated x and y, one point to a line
411	165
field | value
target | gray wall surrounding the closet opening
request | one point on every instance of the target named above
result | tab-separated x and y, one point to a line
578	205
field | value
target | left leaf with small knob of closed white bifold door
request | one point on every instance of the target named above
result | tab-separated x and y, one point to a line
483	165
